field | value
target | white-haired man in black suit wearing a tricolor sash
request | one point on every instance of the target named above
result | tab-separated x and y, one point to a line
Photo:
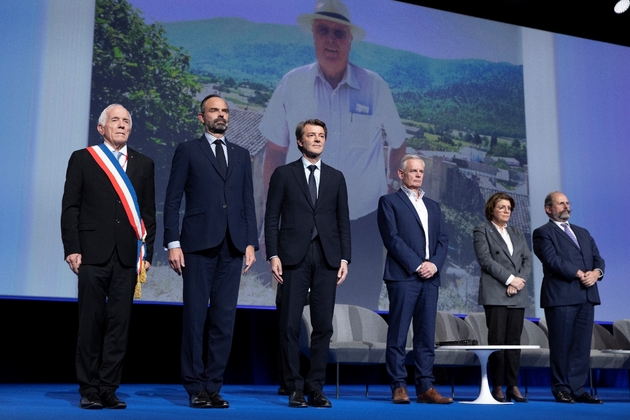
101	246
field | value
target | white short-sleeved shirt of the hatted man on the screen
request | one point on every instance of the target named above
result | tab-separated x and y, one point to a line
356	112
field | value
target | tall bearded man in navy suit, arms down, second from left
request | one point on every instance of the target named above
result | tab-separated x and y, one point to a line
218	228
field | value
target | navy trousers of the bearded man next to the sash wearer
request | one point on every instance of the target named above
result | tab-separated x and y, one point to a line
213	274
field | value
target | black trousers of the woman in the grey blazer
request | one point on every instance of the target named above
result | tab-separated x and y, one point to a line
505	326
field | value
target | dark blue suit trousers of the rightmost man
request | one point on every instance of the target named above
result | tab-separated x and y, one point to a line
570	330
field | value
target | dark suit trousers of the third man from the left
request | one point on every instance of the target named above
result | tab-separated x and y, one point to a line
314	273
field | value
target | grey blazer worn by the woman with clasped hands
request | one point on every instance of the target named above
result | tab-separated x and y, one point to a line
497	264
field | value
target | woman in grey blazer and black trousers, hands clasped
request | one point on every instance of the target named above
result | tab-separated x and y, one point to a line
506	263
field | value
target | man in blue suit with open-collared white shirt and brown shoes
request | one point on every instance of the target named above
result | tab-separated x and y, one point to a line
414	235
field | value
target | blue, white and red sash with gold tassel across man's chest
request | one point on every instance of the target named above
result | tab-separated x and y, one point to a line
121	183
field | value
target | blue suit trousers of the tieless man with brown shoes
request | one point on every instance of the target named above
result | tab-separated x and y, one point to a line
409	300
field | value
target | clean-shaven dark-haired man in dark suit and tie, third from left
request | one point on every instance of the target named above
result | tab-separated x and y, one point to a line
307	237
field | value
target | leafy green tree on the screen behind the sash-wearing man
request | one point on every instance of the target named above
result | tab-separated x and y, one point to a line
134	65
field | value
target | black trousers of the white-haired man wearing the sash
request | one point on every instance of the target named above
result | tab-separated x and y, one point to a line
105	299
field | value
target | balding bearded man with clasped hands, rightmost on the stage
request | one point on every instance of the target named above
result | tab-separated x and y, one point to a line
571	268
